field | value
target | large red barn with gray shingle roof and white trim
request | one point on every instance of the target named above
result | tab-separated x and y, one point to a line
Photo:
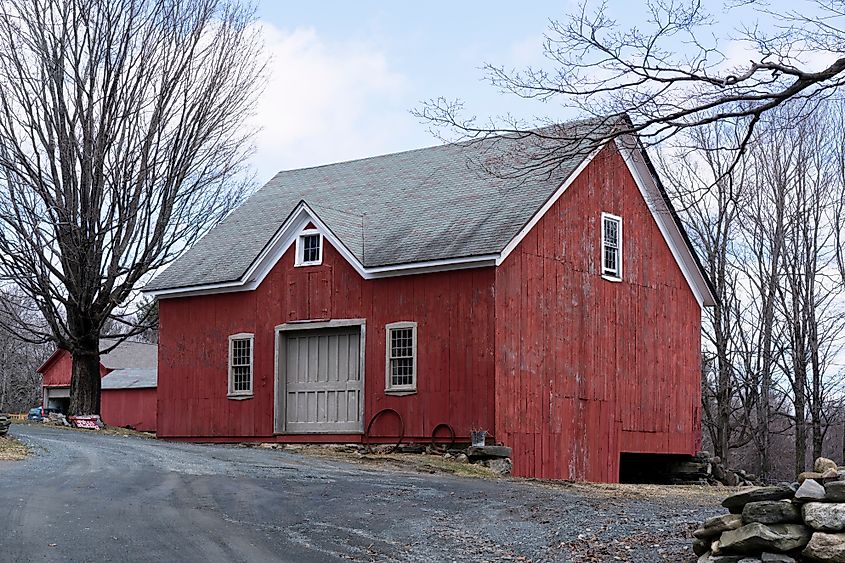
559	311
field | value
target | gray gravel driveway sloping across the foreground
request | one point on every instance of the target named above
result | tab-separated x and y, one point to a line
90	497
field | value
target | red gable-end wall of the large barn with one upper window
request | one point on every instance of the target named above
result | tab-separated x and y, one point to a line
588	368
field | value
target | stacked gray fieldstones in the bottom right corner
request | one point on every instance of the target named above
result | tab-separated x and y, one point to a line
803	521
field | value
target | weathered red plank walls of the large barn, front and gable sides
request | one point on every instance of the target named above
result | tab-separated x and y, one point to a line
567	368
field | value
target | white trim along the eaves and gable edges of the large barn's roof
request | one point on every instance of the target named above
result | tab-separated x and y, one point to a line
303	214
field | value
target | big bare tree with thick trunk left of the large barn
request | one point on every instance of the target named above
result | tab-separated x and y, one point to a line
121	142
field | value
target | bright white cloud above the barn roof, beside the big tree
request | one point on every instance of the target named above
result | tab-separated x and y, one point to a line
327	102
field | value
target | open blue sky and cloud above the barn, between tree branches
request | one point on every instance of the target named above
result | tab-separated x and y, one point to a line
344	76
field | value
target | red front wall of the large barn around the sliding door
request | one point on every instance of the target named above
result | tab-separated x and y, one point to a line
454	312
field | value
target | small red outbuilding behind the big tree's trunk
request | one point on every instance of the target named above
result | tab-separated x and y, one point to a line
128	373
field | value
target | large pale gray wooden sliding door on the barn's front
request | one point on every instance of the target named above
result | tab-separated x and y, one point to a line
322	388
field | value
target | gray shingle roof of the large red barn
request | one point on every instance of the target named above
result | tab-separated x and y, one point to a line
415	206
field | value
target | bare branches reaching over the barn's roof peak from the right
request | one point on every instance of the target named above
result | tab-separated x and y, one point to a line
669	73
